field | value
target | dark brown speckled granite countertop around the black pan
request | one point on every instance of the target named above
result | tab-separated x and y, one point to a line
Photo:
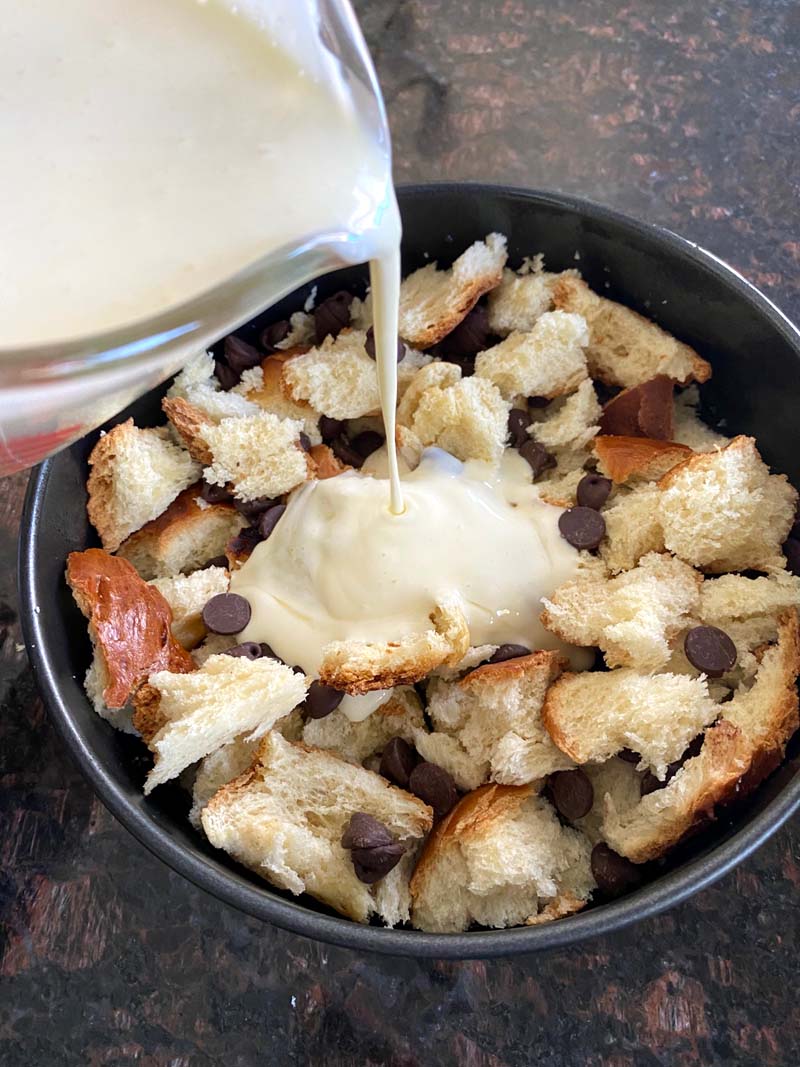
681	114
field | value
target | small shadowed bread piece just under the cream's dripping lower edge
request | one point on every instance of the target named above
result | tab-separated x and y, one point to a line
356	742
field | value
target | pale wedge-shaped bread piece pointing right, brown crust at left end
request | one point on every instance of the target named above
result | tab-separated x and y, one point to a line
185	718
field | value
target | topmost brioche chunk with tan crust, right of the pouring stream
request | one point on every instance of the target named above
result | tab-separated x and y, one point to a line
434	302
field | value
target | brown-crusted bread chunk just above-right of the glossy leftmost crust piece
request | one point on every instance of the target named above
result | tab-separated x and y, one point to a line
186	537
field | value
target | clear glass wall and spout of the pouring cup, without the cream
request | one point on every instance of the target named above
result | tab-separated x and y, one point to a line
53	394
